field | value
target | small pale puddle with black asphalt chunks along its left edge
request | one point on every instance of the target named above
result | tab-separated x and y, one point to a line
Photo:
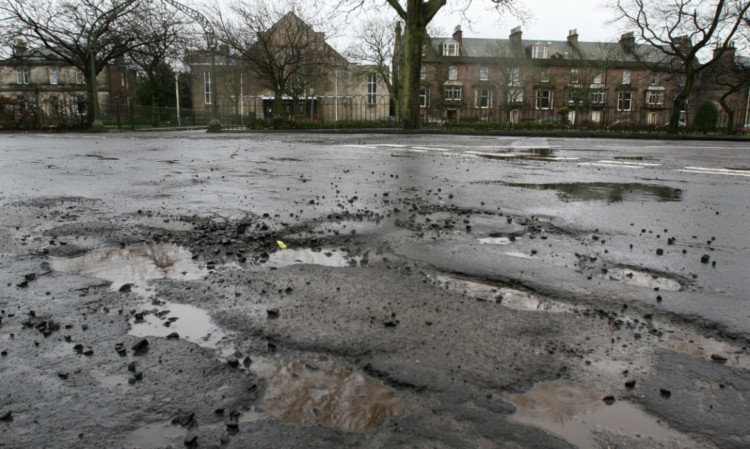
190	323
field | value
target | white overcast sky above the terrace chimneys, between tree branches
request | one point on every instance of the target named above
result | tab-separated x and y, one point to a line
550	20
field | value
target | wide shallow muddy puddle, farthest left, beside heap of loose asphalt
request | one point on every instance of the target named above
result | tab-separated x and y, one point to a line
132	264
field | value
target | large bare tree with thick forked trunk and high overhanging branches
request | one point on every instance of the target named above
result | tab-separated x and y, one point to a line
417	15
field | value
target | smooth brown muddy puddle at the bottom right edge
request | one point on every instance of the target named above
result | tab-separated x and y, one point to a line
575	413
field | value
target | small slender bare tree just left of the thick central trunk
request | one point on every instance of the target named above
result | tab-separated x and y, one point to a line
374	48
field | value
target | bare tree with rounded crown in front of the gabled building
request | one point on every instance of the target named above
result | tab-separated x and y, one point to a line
279	47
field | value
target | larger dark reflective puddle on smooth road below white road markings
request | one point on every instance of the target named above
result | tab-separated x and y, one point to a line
609	192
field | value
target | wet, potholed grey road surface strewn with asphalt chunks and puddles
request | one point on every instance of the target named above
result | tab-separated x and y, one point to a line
311	290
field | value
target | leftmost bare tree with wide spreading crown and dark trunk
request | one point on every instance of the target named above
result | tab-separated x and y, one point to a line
87	34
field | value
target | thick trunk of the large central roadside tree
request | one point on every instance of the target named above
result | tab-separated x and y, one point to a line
414	33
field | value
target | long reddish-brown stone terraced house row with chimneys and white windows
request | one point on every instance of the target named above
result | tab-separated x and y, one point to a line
601	84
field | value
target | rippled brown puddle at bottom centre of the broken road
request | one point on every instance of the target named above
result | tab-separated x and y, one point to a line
320	392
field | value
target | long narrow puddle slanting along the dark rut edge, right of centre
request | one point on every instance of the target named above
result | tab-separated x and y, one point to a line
508	297
